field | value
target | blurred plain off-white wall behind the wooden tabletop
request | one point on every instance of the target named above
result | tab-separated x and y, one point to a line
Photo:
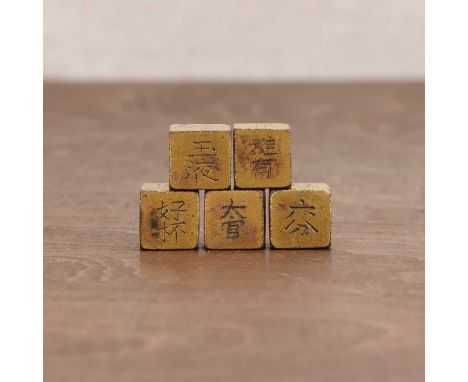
234	40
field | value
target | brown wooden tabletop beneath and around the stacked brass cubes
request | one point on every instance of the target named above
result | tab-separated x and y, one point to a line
354	312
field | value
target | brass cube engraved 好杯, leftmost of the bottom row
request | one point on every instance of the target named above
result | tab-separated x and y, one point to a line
168	219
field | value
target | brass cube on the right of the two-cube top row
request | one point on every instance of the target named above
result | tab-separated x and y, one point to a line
262	155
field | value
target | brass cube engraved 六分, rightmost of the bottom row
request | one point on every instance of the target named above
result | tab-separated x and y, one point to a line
301	216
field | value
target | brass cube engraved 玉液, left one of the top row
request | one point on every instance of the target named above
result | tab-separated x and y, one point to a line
200	157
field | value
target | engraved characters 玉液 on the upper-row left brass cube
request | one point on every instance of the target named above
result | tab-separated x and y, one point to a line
202	161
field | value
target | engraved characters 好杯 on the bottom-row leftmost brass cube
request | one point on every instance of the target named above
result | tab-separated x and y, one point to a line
166	222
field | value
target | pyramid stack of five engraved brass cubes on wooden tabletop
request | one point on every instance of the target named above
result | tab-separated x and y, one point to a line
200	158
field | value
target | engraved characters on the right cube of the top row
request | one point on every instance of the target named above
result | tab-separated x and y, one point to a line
265	153
